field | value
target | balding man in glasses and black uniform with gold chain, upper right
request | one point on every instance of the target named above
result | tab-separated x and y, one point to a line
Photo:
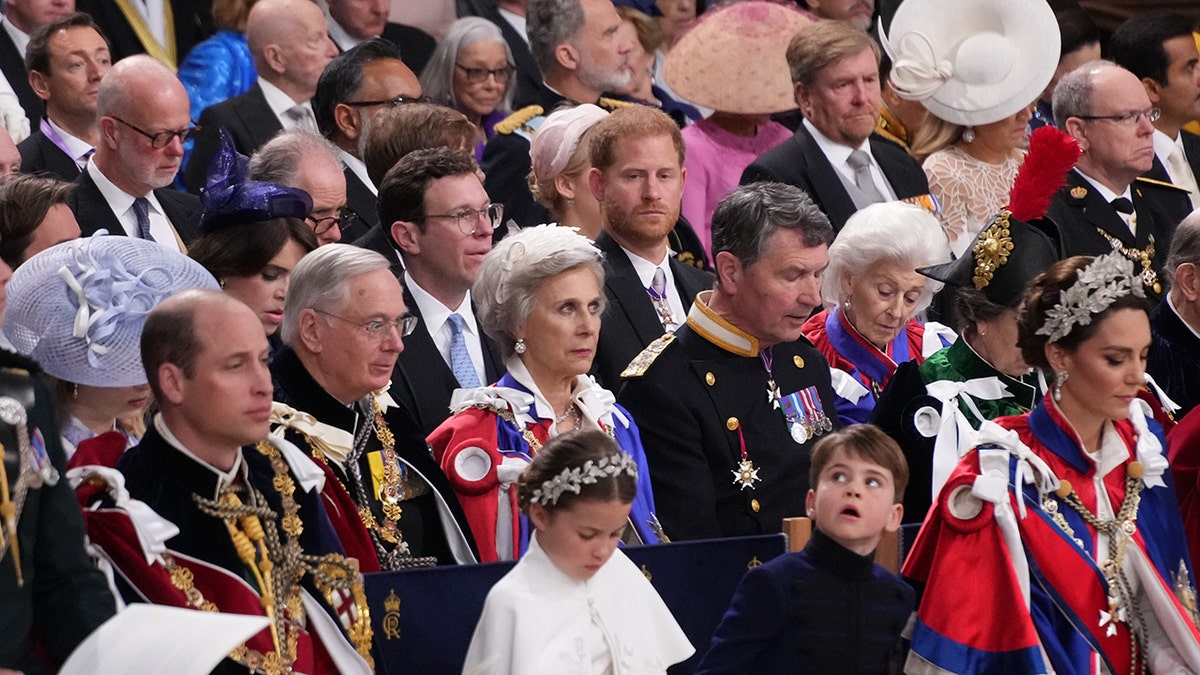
1107	205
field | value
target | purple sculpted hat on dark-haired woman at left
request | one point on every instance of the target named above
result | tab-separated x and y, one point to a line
232	199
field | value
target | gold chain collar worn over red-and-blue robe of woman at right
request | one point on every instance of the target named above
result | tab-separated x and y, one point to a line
1125	523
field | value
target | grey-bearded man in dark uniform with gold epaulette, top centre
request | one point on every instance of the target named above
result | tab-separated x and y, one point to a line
580	61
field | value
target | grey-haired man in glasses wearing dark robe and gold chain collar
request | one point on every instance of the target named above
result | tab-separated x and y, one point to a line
344	326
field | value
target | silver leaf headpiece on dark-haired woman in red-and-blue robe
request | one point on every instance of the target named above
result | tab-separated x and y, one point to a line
1096	288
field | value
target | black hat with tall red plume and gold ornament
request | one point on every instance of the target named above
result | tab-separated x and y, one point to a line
1021	242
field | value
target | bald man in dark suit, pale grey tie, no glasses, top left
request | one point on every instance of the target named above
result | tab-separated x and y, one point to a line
291	46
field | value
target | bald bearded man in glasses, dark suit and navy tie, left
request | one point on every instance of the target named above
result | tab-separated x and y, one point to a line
143	114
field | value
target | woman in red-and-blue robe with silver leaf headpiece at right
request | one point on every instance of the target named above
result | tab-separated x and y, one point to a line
1057	545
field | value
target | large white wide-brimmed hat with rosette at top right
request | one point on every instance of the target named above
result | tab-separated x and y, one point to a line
973	62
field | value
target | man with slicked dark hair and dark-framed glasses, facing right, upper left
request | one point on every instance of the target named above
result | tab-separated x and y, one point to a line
352	93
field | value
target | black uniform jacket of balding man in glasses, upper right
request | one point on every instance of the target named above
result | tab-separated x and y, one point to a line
1082	213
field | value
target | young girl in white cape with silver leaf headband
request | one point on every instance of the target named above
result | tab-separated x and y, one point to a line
575	604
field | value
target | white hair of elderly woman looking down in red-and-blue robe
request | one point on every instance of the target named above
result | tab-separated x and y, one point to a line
896	232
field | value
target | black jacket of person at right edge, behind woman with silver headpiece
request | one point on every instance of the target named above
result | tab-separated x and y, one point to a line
1174	360
